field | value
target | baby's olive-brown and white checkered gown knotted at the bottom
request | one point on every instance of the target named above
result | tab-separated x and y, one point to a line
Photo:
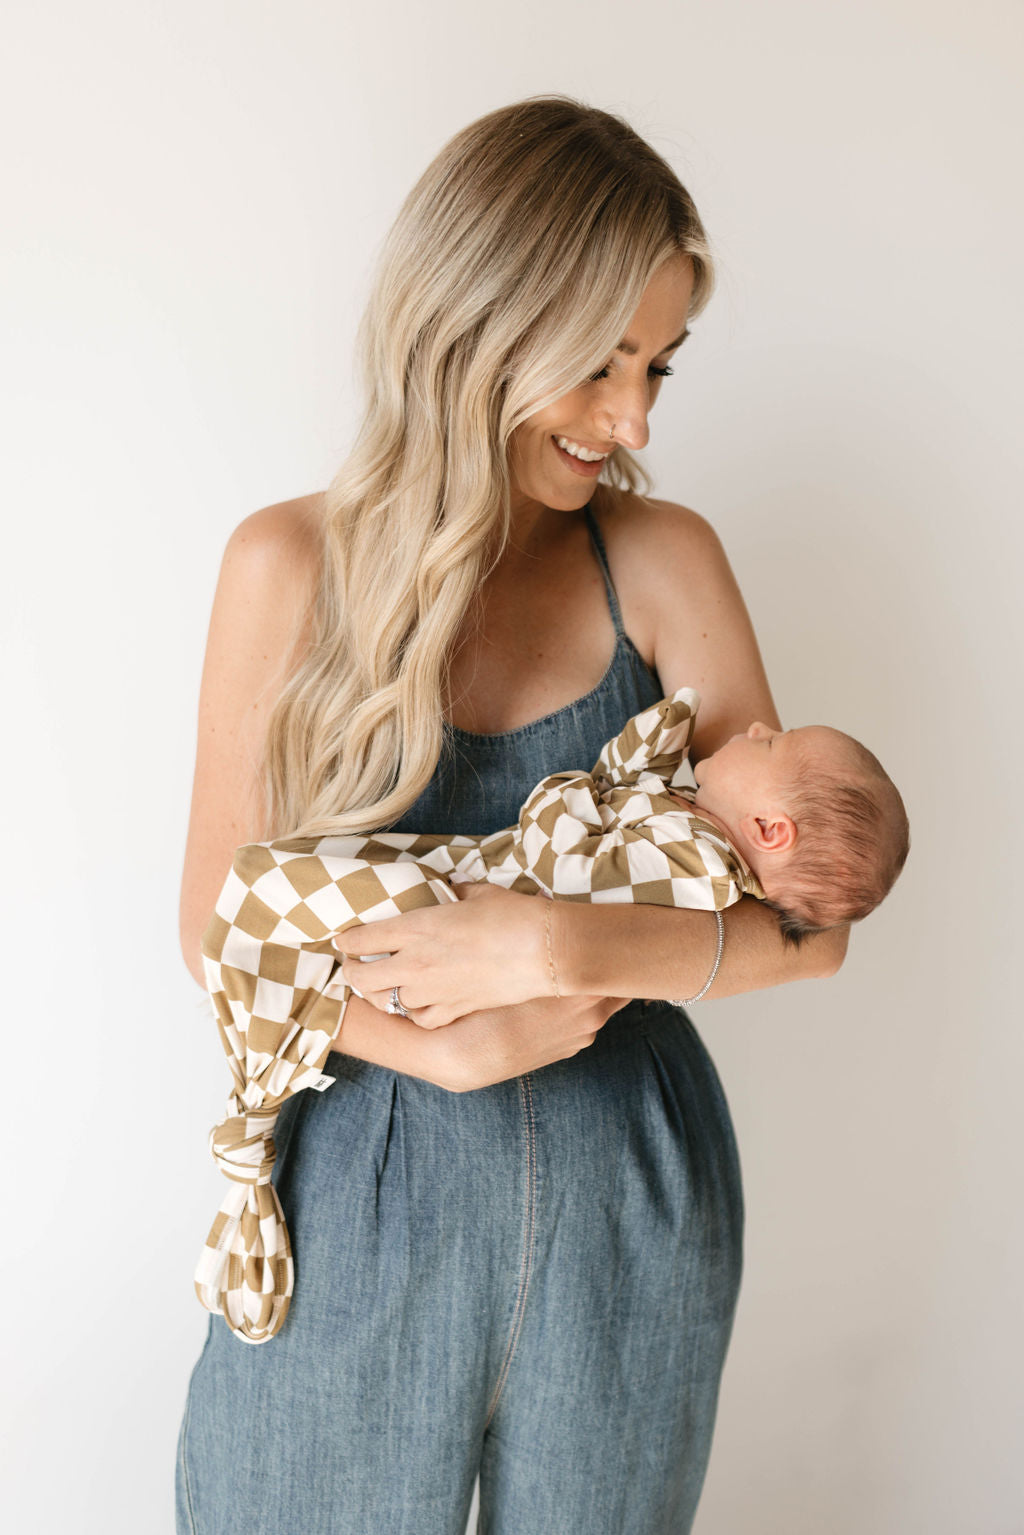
276	980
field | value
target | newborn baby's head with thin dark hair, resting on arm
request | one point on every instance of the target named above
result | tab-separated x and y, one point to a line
816	817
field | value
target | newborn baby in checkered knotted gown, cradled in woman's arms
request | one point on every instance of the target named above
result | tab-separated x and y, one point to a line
802	819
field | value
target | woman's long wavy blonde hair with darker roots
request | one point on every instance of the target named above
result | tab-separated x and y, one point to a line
510	276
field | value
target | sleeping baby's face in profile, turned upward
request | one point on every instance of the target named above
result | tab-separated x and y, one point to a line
755	773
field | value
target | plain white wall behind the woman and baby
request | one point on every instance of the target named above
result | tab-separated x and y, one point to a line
196	194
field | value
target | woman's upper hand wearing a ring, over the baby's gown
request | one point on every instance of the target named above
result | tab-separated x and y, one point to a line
487	951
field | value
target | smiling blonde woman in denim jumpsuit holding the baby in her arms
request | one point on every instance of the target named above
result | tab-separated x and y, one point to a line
517	1215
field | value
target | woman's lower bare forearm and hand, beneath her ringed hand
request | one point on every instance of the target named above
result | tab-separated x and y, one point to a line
481	1049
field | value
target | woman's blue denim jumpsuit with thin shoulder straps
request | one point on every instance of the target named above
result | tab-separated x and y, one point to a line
533	1282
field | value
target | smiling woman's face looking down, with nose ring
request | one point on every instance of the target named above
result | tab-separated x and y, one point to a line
543	472
